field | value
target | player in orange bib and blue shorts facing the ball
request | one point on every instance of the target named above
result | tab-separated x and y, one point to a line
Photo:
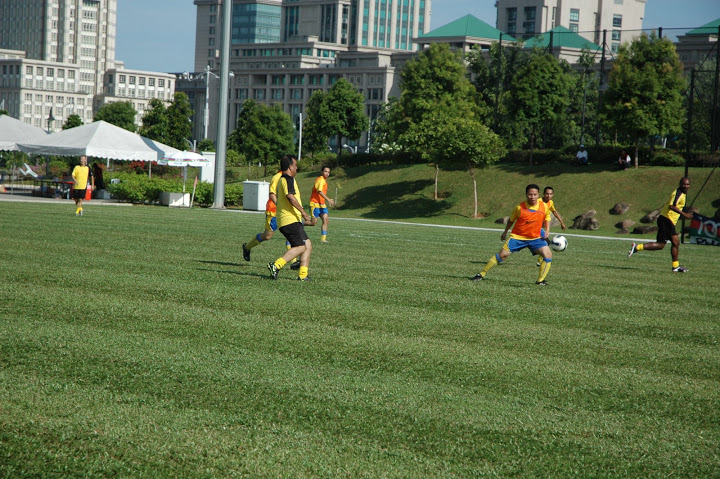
528	218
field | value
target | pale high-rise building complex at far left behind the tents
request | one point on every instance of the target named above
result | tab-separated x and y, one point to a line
57	57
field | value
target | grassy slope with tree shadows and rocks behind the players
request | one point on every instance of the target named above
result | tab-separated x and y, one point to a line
405	193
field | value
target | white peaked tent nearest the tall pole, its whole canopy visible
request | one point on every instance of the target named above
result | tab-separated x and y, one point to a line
100	140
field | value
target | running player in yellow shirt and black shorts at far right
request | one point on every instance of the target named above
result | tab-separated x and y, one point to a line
666	226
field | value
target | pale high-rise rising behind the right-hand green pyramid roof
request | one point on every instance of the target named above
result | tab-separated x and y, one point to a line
622	19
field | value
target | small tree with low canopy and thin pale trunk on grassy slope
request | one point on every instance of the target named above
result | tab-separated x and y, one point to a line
470	143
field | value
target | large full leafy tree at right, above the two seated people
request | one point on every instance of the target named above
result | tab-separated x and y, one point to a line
644	95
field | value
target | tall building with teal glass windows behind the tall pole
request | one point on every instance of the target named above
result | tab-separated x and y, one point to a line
301	46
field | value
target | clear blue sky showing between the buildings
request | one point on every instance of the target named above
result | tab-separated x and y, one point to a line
162	38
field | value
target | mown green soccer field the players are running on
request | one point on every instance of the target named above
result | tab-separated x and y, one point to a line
135	341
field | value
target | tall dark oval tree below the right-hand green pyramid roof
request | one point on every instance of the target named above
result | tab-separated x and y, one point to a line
538	96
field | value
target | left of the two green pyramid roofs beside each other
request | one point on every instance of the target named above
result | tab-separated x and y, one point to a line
464	33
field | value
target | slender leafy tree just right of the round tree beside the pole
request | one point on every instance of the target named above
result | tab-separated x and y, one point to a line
342	113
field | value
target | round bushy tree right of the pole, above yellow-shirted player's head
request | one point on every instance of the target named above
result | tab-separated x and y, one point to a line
263	132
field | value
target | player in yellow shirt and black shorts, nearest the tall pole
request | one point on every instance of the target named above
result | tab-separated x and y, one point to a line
290	213
